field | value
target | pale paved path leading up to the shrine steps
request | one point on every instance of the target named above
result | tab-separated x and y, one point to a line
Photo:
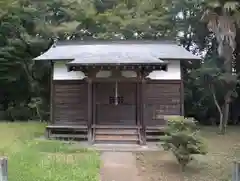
119	166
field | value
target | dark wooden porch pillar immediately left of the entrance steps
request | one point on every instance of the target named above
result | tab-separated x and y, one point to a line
90	106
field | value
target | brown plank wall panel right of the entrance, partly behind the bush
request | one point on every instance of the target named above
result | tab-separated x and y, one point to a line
162	97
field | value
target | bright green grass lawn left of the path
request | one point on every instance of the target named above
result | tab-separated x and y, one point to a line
40	160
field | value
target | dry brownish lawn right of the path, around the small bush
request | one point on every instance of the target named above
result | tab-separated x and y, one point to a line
215	166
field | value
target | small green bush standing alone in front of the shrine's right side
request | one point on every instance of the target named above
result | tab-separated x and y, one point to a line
183	139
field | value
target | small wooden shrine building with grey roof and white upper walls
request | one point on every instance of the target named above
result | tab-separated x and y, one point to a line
114	91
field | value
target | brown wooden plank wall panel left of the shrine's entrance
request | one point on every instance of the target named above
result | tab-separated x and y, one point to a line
70	102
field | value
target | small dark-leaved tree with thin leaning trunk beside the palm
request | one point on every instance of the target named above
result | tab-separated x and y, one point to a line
216	83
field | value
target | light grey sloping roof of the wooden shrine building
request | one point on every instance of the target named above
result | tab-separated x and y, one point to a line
114	52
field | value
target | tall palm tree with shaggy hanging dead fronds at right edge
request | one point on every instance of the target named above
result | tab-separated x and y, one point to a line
223	20
